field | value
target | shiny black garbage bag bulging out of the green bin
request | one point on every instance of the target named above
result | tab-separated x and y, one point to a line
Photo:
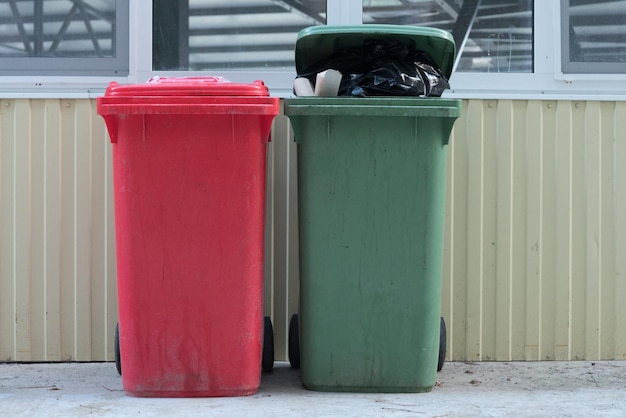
384	68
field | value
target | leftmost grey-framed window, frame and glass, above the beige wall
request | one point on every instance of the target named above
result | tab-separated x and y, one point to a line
64	37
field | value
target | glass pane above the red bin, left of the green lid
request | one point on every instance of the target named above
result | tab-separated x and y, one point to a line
227	34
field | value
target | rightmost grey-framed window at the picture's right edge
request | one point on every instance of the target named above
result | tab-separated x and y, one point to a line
593	36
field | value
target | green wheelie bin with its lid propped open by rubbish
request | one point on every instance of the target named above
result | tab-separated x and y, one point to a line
371	202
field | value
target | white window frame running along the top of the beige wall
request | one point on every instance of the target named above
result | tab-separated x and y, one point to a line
546	82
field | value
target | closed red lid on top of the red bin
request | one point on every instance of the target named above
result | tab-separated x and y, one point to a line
187	86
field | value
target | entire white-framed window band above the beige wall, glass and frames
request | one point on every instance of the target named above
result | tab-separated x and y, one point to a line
531	48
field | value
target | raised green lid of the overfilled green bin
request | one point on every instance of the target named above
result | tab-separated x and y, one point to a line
317	43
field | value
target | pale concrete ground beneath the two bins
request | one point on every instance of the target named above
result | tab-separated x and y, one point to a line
515	389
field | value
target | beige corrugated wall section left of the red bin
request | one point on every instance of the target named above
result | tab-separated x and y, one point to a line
57	281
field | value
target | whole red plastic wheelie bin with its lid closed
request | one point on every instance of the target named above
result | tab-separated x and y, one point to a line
189	190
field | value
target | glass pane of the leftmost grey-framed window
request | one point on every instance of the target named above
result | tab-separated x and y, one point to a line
57	28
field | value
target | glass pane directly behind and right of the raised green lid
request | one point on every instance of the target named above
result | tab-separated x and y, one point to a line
491	35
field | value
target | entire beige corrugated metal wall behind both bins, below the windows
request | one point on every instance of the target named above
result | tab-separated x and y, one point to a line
536	229
